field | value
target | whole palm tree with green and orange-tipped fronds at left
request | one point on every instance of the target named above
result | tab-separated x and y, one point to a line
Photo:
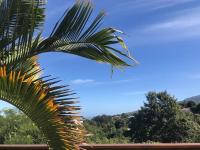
46	103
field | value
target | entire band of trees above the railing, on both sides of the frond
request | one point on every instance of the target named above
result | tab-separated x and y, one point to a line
162	119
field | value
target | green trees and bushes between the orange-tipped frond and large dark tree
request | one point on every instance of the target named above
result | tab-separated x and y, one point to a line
107	129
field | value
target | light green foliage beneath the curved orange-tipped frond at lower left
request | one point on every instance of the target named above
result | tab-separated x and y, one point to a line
17	128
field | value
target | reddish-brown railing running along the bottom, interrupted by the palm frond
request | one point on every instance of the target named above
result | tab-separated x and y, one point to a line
189	146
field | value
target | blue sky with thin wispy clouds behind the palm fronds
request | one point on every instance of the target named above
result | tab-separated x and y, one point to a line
163	35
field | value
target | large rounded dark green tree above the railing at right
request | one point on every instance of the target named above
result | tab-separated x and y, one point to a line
162	120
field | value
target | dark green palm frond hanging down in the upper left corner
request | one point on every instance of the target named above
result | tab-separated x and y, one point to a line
18	21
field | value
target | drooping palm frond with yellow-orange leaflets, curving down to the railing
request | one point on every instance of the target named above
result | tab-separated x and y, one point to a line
46	104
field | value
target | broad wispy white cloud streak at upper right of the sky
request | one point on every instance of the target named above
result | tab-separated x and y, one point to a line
178	26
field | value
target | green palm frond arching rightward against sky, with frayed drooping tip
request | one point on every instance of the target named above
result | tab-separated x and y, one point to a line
72	34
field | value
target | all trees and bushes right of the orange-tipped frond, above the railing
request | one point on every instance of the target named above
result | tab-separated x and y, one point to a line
161	119
